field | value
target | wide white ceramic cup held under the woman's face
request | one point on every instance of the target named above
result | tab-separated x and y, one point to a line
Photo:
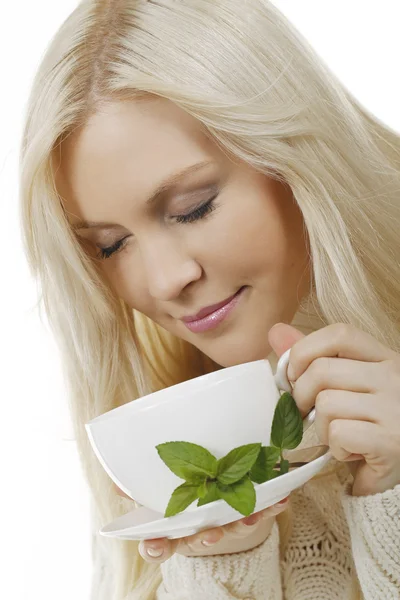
219	411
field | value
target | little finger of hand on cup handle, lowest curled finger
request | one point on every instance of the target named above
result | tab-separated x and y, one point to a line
361	437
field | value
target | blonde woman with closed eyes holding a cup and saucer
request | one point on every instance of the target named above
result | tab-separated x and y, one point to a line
292	203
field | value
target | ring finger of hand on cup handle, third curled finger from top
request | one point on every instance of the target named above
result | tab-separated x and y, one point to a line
338	404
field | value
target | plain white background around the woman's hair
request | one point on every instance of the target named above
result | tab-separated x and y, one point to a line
44	528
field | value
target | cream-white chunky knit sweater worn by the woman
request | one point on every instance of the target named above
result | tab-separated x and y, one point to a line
334	537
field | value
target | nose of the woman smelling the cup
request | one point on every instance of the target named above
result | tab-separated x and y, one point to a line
169	268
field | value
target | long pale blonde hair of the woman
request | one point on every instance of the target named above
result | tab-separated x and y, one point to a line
263	95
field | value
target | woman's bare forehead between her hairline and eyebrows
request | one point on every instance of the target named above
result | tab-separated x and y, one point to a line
127	148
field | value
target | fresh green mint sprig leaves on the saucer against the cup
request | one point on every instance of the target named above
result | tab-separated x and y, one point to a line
232	477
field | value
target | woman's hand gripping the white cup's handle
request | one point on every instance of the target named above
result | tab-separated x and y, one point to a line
354	382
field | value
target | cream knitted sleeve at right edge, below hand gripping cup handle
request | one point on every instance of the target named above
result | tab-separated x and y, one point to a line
374	523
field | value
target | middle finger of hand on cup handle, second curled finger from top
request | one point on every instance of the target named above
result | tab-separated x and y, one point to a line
327	373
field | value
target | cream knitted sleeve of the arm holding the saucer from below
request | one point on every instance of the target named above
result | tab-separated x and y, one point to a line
253	574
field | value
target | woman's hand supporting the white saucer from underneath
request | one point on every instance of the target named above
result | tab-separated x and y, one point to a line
238	536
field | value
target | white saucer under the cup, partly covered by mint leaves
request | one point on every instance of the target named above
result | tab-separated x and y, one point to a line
143	523
